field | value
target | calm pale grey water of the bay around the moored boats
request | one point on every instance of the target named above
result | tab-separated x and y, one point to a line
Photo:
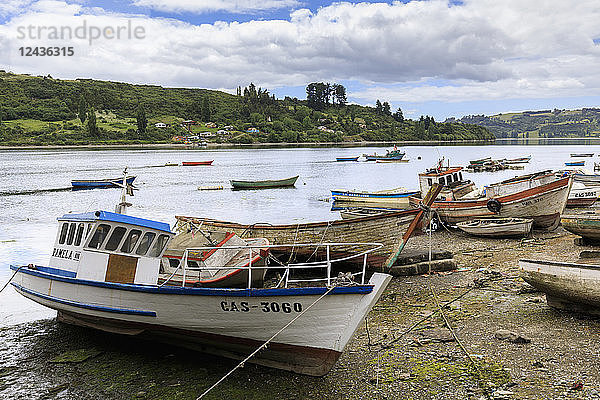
34	189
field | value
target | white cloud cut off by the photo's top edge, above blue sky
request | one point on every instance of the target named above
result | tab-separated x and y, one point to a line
204	6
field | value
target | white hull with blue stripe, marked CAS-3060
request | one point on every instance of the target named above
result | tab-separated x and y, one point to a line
226	322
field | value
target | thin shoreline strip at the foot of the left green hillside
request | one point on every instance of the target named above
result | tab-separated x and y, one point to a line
213	146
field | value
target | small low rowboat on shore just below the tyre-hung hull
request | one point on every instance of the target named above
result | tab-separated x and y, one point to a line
497	227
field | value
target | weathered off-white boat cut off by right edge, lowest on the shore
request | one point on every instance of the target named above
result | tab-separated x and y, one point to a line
568	286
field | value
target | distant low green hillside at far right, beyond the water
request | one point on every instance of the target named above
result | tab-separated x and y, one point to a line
541	124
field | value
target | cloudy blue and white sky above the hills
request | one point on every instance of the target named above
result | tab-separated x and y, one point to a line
428	57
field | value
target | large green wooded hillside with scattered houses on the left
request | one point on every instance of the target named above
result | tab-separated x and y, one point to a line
38	110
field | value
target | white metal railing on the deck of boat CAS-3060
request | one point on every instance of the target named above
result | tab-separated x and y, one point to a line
327	263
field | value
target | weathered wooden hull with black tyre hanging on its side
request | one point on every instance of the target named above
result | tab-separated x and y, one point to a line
543	204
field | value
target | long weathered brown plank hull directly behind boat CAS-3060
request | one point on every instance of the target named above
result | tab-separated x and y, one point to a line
386	229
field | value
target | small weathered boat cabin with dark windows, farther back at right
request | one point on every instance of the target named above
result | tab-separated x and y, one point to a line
455	187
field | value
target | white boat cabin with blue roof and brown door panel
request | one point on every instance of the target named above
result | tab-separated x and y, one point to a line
110	247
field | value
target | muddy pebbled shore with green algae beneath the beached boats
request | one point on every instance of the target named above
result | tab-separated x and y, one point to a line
48	360
